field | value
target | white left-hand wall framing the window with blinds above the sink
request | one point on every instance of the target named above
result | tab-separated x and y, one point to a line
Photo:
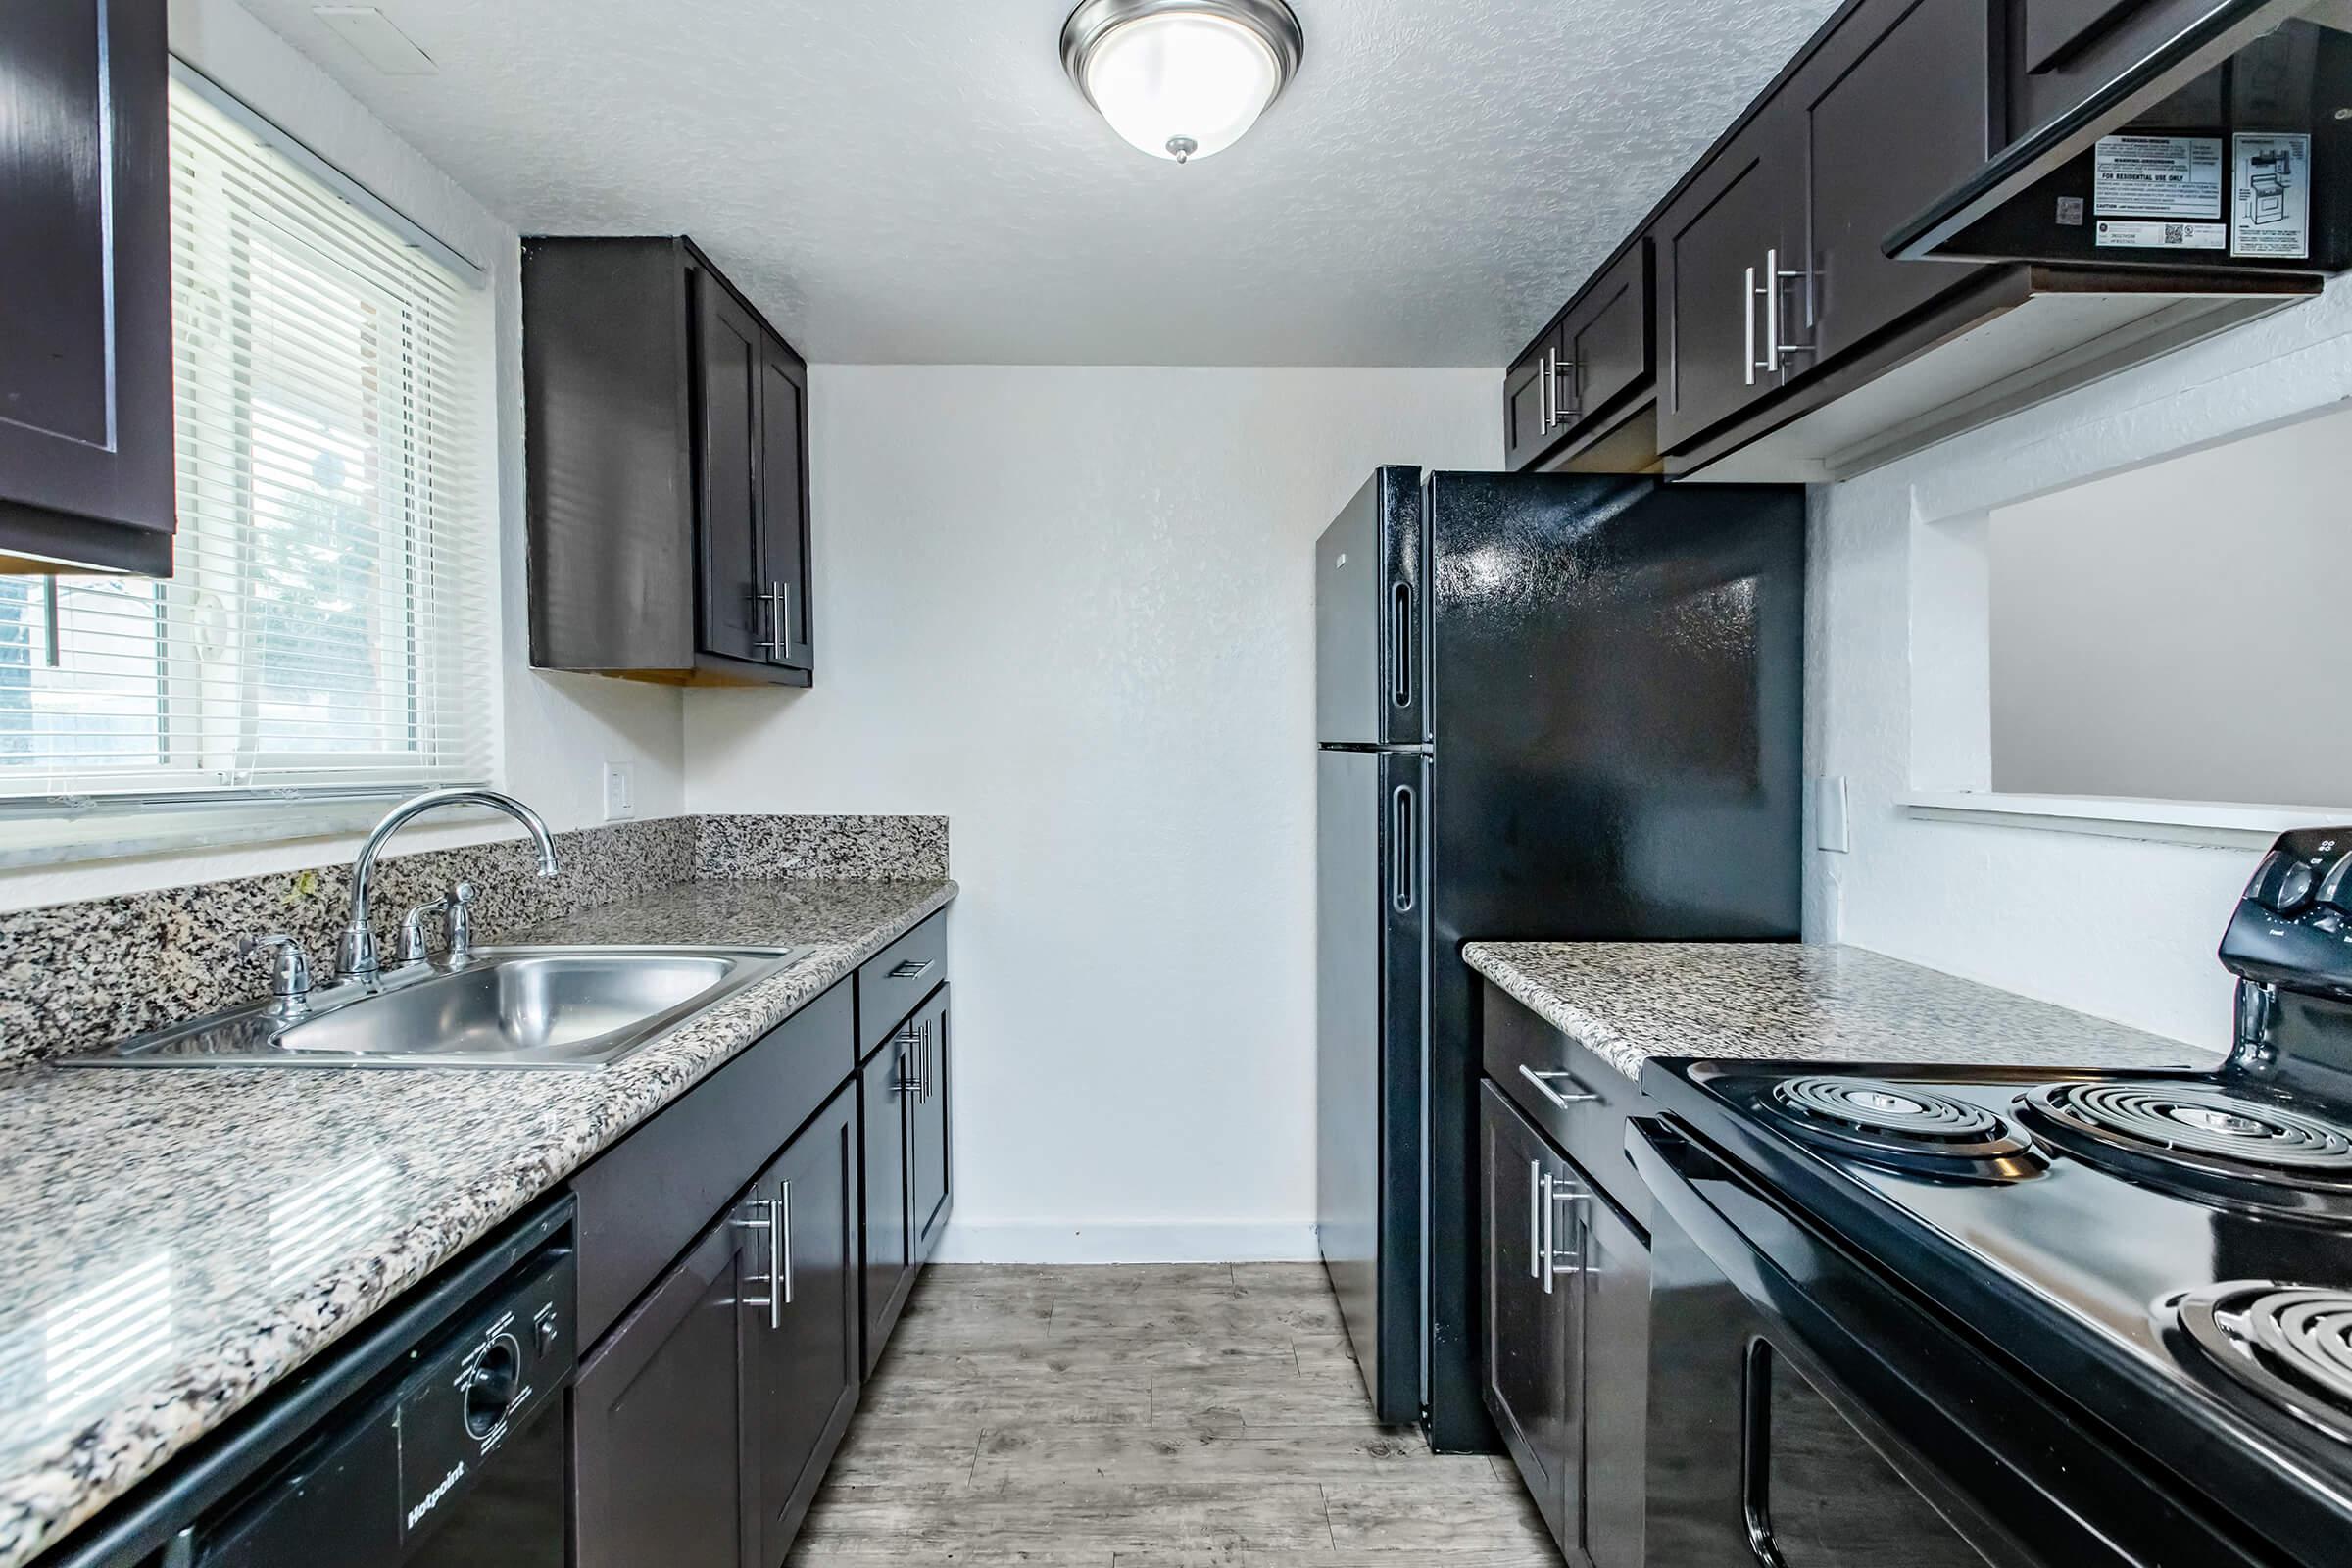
556	730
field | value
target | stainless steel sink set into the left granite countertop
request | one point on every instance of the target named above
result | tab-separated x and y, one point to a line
507	1007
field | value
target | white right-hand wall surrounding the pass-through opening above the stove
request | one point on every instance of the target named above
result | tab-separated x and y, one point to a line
2109	925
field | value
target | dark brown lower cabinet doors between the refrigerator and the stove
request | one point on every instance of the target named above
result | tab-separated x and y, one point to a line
1565	1339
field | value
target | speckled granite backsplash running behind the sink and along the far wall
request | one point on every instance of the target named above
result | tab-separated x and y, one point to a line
81	974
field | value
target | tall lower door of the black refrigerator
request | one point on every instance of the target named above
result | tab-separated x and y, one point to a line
1368	1078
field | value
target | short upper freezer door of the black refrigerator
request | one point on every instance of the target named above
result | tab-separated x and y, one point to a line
1368	617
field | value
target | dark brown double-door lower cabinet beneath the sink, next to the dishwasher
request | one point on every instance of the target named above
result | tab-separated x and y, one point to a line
704	1421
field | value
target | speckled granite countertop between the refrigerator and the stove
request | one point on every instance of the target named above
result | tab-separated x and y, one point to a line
1800	1003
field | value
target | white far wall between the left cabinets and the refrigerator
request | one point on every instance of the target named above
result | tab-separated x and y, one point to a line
1074	612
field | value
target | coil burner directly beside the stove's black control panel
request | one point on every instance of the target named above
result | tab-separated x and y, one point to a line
2200	1139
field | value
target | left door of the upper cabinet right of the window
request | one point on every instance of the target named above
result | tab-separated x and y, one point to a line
730	344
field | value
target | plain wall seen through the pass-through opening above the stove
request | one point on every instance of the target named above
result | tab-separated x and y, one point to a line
2139	622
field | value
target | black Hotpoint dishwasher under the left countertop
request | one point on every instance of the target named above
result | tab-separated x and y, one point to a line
434	1442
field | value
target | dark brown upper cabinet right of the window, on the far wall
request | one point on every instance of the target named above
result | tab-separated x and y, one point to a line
669	467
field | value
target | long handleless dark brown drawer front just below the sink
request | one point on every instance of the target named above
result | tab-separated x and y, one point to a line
650	1195
